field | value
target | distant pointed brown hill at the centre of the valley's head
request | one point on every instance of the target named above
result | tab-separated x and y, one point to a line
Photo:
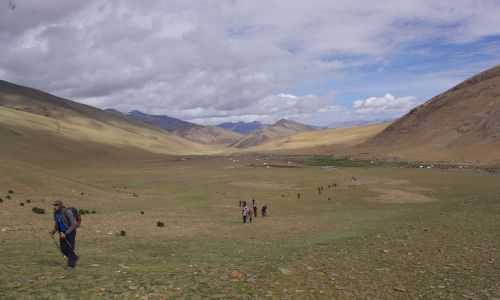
280	129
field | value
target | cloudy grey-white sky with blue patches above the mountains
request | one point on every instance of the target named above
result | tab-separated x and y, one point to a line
320	62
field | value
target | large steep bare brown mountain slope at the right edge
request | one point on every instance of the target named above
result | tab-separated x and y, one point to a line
461	124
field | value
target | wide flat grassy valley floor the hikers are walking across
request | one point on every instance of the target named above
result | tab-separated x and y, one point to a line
378	232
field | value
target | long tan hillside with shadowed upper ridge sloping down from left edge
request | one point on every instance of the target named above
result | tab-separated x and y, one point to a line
27	114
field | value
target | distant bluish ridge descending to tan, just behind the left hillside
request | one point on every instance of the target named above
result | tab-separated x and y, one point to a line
209	135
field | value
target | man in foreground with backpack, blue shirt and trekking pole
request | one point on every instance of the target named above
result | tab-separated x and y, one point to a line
66	224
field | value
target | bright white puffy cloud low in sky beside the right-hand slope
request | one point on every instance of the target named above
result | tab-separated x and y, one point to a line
387	105
